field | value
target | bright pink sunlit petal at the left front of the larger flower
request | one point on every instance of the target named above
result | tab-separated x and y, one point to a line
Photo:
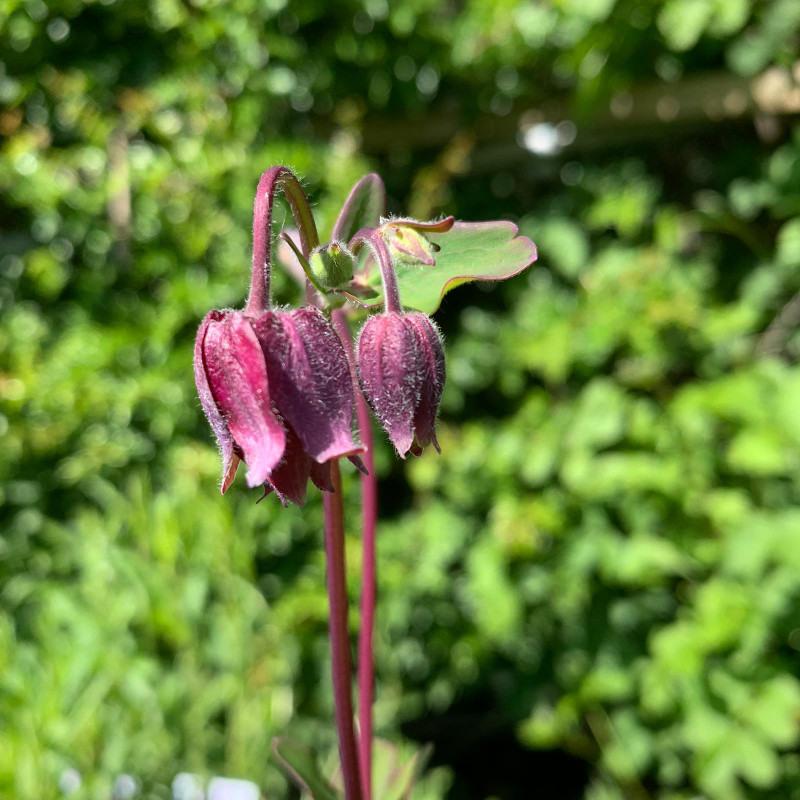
237	379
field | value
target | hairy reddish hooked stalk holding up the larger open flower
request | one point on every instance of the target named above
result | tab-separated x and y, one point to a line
273	180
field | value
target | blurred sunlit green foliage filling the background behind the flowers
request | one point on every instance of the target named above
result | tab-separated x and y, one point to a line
605	560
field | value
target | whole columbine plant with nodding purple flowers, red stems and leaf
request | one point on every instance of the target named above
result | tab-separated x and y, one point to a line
281	389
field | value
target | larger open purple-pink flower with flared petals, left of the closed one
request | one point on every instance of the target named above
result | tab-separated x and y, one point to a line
277	391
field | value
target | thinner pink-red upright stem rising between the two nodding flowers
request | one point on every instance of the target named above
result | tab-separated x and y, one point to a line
369	586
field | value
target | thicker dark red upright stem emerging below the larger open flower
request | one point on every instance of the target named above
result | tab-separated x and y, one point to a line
340	645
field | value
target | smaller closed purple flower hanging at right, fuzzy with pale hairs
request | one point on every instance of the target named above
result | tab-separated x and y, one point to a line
401	369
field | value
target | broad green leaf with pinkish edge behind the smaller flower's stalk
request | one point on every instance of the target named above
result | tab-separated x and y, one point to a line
470	251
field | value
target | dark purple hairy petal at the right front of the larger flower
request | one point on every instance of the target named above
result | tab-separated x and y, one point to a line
309	380
